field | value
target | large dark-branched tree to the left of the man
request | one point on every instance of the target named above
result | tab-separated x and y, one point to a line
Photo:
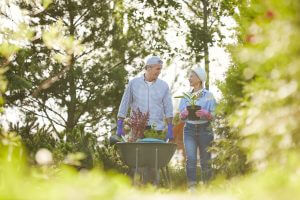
87	87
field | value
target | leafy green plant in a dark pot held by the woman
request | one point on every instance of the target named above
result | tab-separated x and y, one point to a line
192	107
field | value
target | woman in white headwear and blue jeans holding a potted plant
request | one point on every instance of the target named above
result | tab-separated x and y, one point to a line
198	133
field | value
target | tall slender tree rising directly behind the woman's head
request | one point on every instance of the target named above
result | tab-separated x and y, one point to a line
204	25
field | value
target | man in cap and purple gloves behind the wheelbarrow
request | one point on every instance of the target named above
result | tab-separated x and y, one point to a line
150	94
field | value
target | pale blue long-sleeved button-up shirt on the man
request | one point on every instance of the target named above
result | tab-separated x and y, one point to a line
154	98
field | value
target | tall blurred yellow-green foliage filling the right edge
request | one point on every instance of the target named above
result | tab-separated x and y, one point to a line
261	91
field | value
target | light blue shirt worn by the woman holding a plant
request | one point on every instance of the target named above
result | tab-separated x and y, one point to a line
206	100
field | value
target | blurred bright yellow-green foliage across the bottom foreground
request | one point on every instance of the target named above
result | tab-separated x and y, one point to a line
276	182
